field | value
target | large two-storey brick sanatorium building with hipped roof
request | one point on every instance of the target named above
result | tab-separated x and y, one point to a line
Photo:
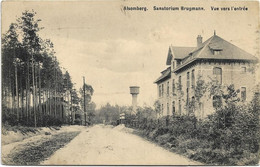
215	60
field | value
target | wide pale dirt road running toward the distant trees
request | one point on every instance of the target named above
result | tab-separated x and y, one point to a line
105	145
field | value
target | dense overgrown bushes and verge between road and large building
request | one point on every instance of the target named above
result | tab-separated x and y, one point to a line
230	136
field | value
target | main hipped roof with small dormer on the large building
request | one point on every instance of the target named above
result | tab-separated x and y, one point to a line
227	50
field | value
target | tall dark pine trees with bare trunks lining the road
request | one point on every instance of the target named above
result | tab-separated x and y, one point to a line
35	89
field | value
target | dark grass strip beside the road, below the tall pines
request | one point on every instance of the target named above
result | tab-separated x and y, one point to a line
36	152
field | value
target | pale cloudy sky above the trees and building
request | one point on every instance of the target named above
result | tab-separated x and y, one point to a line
115	49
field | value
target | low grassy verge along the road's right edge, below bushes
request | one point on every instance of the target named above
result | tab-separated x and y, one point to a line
198	150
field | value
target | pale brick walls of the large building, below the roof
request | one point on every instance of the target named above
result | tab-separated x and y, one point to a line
232	73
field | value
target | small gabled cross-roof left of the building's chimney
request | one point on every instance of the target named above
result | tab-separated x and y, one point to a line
178	52
